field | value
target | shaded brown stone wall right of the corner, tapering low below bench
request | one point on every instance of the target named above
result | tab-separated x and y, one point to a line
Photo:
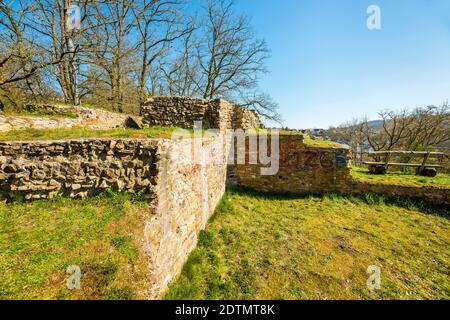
305	169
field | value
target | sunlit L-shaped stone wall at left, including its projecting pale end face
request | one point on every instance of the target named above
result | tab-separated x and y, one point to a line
183	178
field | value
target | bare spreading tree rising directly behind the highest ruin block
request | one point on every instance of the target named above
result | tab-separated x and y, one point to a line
229	55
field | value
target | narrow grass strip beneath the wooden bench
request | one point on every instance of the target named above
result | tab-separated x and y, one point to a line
402	179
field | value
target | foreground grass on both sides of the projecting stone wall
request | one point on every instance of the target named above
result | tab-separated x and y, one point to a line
256	246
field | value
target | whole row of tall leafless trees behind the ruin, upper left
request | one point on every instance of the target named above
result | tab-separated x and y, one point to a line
129	50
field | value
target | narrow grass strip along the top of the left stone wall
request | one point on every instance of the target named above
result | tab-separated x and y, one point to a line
85	132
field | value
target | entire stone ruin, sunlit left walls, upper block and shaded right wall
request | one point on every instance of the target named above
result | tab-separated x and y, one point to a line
183	178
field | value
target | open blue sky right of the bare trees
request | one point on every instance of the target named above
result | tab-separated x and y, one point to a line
327	67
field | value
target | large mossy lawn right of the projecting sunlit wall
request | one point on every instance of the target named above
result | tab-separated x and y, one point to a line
260	246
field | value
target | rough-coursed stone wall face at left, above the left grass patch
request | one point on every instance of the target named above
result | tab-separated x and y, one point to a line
76	168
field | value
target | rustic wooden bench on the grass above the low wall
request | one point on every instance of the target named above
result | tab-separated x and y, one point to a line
423	168
